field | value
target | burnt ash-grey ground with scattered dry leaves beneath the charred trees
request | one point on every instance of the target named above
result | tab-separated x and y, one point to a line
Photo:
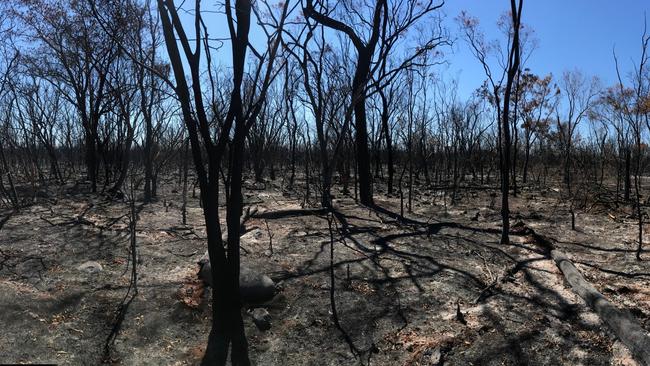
399	284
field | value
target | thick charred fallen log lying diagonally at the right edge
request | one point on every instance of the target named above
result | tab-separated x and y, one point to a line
621	322
